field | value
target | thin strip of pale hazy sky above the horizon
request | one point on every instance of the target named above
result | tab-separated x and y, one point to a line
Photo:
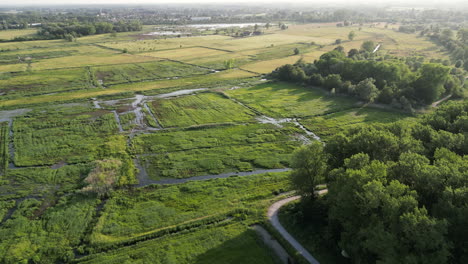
308	2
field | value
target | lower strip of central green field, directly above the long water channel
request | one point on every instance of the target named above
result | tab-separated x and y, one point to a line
218	160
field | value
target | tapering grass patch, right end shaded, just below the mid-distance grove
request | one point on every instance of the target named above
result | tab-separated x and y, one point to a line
329	125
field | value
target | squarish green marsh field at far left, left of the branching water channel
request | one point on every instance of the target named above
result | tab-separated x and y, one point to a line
65	134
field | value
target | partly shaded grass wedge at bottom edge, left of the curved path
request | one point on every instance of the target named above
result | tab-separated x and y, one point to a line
230	243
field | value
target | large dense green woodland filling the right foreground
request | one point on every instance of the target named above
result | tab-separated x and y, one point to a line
397	193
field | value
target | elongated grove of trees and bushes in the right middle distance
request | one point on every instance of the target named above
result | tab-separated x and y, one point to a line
388	81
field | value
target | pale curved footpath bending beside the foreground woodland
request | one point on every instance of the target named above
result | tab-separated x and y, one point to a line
274	220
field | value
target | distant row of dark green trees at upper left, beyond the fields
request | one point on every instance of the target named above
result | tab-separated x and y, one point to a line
73	30
